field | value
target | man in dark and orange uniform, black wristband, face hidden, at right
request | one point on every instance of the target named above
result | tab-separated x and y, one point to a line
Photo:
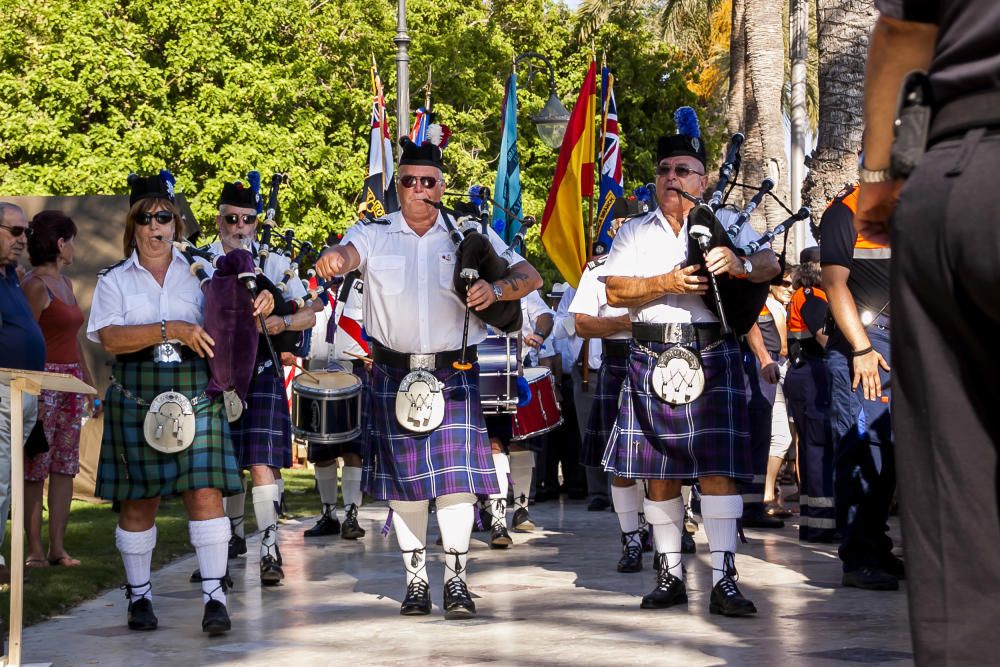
856	281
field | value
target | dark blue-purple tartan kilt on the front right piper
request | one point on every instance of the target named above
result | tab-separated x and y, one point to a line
709	437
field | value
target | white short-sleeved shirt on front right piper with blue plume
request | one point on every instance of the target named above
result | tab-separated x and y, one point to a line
647	246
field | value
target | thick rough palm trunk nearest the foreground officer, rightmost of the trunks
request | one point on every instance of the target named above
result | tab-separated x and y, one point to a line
843	28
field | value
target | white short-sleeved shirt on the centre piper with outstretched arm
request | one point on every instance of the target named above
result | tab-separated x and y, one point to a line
410	304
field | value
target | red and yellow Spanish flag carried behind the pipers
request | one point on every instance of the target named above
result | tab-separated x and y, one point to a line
562	222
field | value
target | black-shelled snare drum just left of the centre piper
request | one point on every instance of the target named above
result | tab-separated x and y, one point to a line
326	409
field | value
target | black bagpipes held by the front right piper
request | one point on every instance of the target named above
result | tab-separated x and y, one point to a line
737	302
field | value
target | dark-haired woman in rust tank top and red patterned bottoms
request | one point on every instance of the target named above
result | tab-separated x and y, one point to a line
53	304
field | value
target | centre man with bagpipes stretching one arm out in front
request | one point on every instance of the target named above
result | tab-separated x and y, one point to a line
428	437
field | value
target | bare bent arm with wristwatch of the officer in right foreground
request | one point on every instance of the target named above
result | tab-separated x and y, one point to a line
896	48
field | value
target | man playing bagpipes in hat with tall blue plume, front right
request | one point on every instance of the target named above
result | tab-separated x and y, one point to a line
683	410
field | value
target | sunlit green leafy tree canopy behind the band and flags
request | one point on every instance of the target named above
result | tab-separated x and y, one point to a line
209	89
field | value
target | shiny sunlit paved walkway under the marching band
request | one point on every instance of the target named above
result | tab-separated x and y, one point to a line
553	599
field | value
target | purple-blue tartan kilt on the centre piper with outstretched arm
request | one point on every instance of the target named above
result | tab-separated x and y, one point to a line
453	458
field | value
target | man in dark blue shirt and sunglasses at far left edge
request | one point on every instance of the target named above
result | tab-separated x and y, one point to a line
21	346
